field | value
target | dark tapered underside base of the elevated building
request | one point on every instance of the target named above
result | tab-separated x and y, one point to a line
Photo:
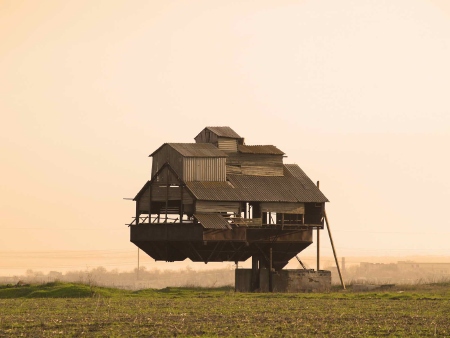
179	241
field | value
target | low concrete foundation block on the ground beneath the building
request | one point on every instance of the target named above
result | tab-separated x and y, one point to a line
283	281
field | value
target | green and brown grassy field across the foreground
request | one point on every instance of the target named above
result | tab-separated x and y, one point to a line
78	310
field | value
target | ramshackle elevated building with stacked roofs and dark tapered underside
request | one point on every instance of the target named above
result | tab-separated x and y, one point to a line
219	199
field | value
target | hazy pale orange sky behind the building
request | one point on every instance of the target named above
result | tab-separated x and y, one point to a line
355	92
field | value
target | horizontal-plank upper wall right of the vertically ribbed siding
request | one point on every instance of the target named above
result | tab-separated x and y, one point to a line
255	164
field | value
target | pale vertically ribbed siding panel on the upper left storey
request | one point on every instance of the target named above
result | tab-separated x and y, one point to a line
204	169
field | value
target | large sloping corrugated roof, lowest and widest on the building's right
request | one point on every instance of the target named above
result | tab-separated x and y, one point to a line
294	186
